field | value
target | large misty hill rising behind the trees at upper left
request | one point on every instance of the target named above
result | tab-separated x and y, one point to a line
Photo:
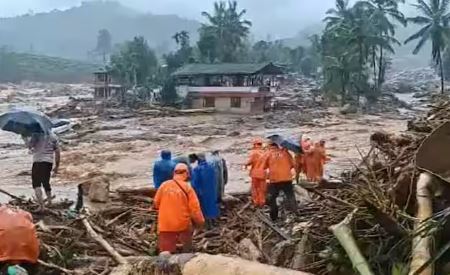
72	33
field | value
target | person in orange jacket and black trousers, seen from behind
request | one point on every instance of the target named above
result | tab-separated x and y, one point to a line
280	164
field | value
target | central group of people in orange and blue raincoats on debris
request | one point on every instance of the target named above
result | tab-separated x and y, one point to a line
190	190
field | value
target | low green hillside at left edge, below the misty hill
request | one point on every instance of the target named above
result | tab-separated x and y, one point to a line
15	67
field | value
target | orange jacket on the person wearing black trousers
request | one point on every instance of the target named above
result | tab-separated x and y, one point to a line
280	164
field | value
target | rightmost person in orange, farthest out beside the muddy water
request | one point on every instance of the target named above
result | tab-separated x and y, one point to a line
316	158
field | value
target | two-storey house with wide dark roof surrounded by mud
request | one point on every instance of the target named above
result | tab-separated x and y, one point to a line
227	87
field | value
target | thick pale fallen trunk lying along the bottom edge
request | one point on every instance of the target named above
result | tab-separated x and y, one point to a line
202	264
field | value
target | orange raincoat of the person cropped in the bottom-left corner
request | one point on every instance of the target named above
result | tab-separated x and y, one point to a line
18	239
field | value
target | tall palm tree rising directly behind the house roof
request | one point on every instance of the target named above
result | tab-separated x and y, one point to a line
229	28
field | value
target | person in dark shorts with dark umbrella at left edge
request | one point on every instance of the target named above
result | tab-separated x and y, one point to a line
36	130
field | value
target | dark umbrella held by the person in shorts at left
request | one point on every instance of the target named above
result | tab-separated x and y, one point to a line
26	123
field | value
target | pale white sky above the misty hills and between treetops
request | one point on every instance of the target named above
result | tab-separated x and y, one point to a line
277	18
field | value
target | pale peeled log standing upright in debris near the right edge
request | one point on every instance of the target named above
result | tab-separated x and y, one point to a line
421	246
